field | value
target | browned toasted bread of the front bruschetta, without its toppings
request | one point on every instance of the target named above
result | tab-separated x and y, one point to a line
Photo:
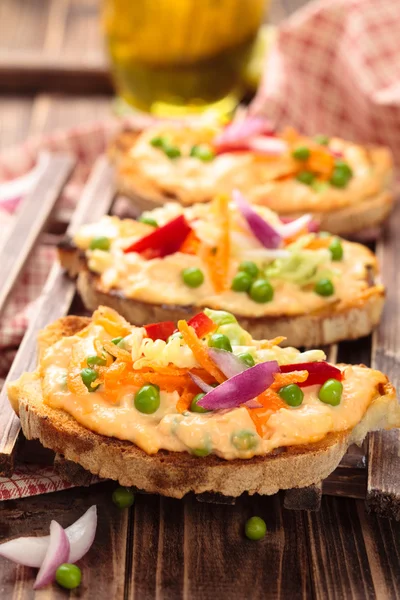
177	473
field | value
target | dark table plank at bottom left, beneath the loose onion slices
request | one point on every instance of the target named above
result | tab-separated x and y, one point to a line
103	567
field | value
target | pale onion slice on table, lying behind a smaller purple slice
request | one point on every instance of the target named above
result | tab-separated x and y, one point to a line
30	551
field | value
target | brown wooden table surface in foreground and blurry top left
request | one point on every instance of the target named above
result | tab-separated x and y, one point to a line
164	548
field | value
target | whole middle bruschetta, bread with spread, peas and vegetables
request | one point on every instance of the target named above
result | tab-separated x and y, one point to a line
277	278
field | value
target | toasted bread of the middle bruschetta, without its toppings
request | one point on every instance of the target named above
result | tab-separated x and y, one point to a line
309	330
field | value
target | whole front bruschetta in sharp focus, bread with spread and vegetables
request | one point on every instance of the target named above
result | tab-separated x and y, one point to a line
195	406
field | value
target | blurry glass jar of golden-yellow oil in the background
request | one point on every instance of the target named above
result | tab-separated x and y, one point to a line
174	57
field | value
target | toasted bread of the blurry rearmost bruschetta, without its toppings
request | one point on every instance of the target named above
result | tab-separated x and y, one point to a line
369	213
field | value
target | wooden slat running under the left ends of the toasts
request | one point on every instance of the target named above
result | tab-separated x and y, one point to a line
54	302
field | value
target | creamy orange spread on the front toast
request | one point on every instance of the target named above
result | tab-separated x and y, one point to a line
216	432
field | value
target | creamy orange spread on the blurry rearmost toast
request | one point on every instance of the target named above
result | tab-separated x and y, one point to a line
265	180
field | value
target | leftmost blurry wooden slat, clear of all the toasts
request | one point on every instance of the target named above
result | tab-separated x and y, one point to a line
31	218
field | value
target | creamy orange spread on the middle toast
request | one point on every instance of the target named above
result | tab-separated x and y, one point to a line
160	281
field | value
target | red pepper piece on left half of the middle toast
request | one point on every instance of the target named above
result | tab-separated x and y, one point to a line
162	241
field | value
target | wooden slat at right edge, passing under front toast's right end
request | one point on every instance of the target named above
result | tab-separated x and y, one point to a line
383	494
